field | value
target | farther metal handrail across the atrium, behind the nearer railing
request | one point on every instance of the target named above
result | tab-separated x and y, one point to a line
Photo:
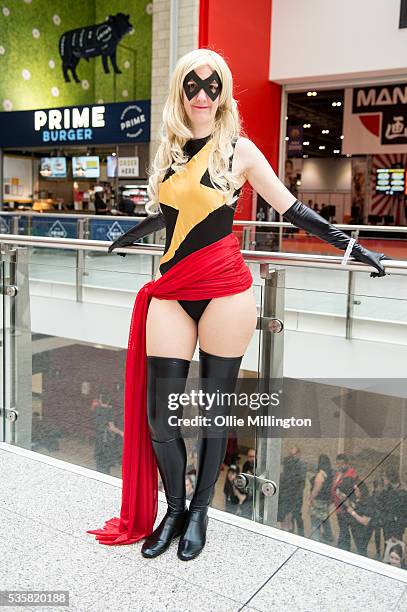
380	228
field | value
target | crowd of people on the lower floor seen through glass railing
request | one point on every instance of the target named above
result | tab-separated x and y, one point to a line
336	496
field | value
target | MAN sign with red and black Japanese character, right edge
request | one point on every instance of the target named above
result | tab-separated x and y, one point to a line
375	119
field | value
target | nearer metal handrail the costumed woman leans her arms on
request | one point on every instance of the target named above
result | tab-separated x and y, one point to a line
398	267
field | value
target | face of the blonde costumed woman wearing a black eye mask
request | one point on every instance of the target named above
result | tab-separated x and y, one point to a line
201	109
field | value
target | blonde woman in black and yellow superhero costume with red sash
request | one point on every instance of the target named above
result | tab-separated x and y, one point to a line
202	291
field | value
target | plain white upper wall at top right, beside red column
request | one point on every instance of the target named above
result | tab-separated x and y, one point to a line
336	38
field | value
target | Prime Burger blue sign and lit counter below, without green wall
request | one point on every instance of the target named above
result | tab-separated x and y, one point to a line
76	158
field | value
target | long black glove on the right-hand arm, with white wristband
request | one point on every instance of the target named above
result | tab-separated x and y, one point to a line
305	217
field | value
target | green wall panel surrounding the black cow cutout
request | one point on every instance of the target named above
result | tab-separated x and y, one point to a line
31	68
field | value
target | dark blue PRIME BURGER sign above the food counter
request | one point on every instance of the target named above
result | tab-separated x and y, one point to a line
93	124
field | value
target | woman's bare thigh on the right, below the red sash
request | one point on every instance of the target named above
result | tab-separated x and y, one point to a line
228	323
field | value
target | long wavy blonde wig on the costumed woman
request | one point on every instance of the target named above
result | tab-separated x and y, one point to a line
175	129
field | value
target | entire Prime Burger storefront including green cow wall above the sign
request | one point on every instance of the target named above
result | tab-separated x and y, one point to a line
75	106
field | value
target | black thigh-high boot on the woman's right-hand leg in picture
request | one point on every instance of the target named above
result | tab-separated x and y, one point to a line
216	373
